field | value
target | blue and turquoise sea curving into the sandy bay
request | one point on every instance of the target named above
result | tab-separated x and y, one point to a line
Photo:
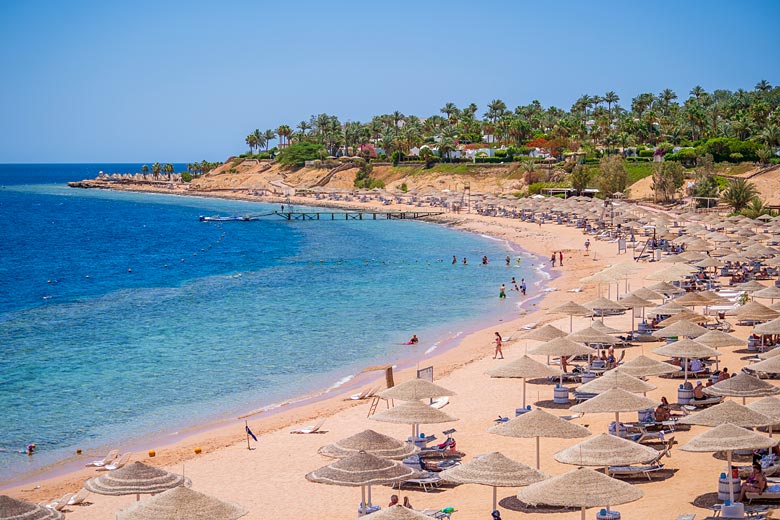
123	316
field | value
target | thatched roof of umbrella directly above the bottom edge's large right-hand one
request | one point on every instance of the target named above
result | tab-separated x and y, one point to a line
606	450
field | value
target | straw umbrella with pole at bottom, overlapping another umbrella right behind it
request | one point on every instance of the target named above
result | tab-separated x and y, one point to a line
361	470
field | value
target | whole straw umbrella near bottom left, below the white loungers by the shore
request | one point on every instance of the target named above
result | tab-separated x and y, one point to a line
135	479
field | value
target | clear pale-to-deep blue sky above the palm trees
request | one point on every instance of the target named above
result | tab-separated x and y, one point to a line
179	81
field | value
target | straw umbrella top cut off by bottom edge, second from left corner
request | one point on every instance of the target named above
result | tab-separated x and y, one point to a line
181	503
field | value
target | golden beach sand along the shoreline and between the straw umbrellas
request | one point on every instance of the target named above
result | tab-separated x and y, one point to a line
269	479
